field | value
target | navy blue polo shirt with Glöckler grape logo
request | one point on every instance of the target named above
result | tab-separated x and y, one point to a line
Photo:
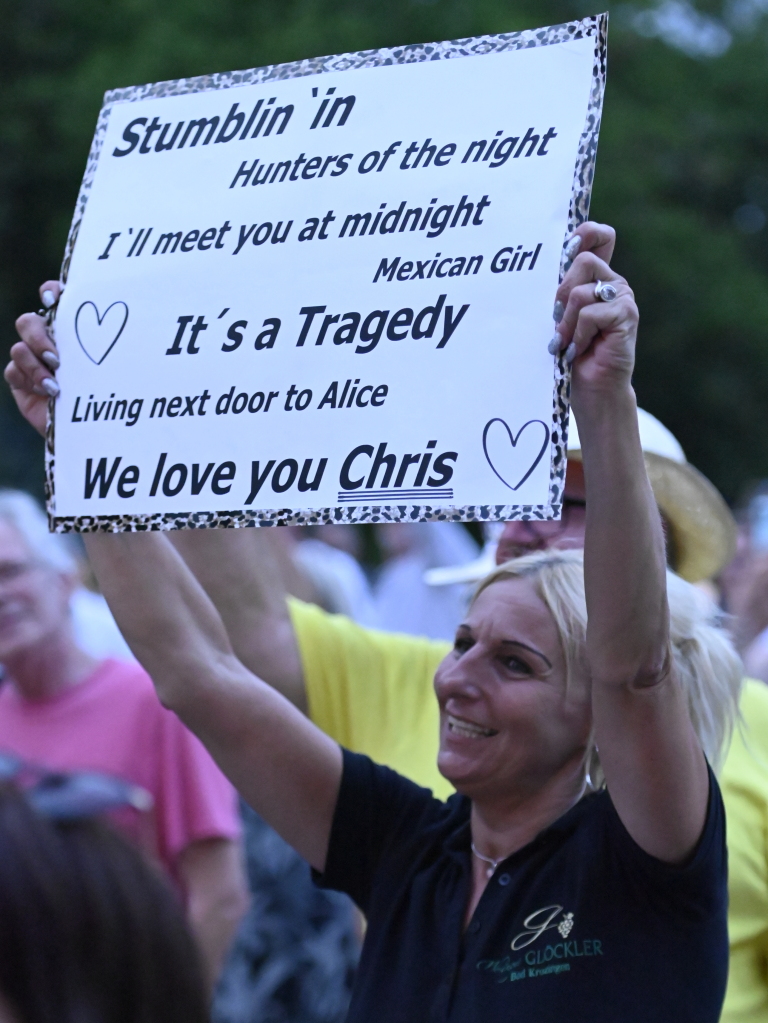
580	926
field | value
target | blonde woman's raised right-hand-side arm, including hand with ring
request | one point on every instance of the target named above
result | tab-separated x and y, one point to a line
655	768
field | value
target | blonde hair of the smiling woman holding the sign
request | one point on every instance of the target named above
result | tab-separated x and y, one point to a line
709	669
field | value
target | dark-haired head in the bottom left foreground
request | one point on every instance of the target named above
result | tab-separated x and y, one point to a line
89	932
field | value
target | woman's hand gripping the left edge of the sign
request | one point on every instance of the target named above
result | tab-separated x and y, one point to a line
34	362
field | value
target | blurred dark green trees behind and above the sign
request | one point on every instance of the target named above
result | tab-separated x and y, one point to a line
683	171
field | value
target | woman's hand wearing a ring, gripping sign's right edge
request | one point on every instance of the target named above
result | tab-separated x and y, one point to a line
599	337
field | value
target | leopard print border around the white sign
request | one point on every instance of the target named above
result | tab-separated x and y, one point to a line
595	27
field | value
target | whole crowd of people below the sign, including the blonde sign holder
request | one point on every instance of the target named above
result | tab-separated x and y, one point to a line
510	770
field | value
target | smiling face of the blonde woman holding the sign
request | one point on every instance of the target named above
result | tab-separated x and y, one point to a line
509	723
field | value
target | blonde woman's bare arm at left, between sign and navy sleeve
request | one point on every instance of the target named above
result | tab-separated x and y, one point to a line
287	769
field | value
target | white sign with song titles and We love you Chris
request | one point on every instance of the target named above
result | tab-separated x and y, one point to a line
324	291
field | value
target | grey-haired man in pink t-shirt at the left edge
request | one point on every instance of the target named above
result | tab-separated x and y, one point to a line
63	709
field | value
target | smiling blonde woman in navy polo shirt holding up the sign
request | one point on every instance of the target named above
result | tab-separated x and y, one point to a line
536	894
